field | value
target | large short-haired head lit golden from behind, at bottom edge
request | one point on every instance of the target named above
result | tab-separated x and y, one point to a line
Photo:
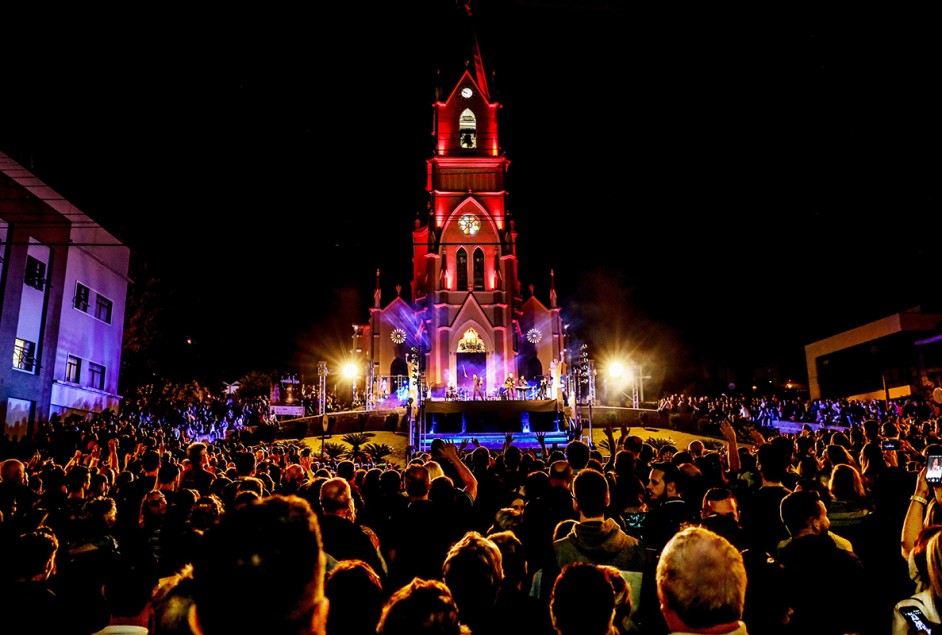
701	584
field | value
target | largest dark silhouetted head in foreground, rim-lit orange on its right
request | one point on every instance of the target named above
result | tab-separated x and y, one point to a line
271	549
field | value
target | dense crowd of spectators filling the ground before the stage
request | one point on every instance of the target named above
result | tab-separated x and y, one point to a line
133	521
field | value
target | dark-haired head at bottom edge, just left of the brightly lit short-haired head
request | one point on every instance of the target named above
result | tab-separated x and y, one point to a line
583	601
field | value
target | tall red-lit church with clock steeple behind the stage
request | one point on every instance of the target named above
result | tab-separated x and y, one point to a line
467	315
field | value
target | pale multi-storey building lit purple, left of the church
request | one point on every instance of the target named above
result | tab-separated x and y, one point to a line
63	284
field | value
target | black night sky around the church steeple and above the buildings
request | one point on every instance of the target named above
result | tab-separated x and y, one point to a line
714	188
